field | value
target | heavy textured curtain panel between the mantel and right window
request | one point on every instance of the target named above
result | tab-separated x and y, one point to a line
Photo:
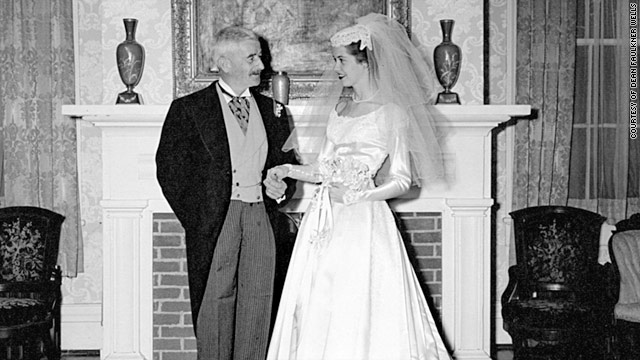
545	80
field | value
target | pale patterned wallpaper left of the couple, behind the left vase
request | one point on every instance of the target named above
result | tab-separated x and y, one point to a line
100	29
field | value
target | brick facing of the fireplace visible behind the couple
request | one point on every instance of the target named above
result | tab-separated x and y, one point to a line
172	324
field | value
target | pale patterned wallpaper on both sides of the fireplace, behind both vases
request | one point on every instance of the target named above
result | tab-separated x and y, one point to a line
100	30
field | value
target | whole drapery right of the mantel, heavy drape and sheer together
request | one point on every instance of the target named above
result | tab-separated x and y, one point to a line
573	68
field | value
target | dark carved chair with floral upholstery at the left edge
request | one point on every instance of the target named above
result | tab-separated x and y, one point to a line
30	283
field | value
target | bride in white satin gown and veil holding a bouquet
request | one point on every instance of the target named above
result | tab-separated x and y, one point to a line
350	291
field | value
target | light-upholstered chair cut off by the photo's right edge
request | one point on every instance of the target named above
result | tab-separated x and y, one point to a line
624	248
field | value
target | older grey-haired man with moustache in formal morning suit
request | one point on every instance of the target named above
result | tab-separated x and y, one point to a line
215	147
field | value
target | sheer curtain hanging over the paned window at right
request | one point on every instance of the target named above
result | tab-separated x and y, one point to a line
605	162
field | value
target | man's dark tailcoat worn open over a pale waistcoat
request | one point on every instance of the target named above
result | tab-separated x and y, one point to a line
194	172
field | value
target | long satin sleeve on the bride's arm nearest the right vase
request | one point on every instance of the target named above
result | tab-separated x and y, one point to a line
398	179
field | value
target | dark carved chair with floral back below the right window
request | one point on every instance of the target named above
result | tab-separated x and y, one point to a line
556	305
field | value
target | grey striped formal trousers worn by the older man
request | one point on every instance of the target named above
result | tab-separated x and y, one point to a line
234	318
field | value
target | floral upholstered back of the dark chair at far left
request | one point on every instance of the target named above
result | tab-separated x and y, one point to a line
29	242
